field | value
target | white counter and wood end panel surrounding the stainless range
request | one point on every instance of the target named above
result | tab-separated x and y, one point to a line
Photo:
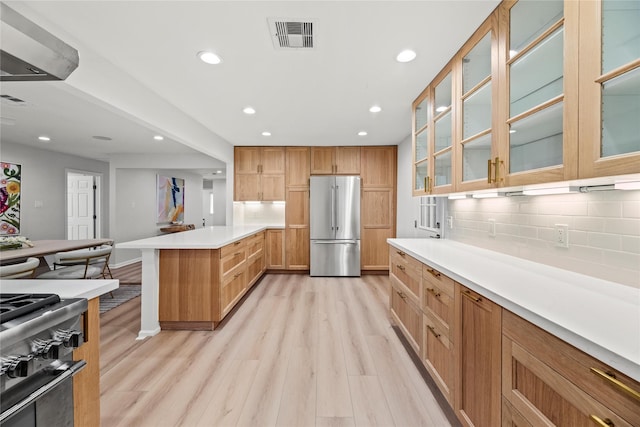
86	383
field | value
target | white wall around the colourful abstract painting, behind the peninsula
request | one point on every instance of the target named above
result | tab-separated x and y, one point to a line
135	206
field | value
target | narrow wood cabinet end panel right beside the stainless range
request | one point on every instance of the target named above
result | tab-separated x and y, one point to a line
86	383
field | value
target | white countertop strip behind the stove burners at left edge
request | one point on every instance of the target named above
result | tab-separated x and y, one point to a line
88	289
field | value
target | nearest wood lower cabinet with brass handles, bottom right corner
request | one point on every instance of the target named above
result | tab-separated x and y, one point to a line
550	382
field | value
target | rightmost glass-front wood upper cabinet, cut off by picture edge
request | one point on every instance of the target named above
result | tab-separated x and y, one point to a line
609	88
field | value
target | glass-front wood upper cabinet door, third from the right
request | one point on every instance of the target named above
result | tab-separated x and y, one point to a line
478	144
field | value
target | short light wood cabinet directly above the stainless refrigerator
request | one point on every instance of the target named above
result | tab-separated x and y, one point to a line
335	160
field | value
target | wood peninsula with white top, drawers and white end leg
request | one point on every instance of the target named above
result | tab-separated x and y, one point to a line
185	260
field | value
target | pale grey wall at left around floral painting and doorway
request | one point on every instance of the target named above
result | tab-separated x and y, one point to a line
44	180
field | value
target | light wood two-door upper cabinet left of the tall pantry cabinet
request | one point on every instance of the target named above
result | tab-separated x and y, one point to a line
259	173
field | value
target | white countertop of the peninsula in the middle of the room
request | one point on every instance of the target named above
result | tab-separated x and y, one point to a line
213	237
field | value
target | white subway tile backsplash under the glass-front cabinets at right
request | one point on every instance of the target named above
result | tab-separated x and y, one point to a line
603	230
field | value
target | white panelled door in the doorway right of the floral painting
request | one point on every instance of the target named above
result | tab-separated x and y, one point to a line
80	207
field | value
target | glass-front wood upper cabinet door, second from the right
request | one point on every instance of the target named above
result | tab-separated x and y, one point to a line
541	105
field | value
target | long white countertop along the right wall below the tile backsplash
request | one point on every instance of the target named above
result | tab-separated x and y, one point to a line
599	317
